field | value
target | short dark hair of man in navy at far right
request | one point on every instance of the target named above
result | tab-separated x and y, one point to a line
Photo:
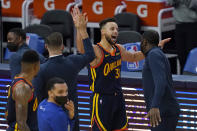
151	36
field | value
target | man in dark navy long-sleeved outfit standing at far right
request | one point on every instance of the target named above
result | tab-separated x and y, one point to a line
161	103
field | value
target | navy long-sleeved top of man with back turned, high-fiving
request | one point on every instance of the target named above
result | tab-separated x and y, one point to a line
66	68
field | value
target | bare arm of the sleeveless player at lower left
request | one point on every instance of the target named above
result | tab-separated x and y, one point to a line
21	94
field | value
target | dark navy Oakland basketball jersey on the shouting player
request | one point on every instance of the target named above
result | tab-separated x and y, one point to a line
105	77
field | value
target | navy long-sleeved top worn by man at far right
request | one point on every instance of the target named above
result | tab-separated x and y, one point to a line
157	83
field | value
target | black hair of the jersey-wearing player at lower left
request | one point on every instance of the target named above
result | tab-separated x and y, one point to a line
30	57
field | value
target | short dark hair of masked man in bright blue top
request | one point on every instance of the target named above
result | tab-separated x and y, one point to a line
55	80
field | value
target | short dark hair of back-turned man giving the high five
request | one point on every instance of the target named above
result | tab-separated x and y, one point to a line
55	39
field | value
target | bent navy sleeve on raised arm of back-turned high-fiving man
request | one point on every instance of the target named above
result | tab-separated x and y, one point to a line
82	60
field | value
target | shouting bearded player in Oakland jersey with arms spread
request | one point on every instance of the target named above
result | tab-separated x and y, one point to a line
108	105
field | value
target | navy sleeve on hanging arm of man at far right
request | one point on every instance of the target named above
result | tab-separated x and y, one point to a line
158	69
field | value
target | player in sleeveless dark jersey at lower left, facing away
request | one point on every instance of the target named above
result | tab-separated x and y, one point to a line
22	101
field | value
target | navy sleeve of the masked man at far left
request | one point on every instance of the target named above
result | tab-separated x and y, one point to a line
15	65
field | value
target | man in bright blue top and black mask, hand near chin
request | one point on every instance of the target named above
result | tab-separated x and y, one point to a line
51	115
